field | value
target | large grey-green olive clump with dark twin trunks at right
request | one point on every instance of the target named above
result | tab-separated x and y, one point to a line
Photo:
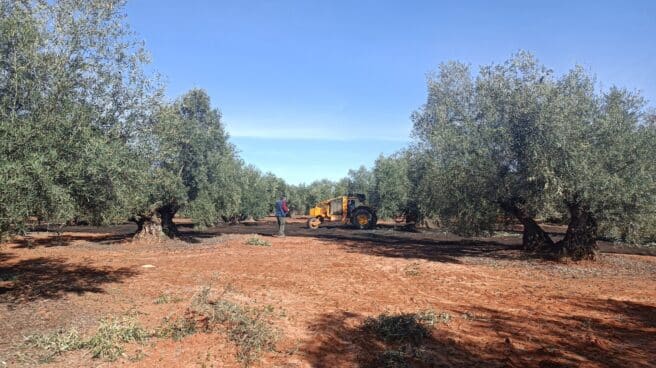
518	141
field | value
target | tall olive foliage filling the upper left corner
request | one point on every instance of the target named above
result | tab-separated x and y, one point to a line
72	94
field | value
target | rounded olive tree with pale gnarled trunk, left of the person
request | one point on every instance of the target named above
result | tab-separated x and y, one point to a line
193	168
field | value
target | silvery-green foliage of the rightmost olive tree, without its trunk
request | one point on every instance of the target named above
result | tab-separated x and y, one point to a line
611	185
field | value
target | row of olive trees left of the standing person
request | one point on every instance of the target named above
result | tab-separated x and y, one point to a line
86	134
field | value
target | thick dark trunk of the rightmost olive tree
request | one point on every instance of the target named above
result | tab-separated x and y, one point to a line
580	241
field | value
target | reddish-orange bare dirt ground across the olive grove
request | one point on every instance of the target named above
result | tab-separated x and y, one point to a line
498	308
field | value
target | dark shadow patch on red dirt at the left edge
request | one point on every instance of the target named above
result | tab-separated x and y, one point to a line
52	278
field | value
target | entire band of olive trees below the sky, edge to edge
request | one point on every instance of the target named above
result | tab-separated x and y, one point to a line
87	136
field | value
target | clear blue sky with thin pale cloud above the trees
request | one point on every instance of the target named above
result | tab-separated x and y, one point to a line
309	89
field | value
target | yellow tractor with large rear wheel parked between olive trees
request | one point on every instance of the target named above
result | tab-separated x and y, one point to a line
348	209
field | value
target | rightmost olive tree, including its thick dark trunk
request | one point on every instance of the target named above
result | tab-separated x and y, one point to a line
607	174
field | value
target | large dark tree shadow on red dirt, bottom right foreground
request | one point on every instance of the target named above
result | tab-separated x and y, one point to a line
624	337
